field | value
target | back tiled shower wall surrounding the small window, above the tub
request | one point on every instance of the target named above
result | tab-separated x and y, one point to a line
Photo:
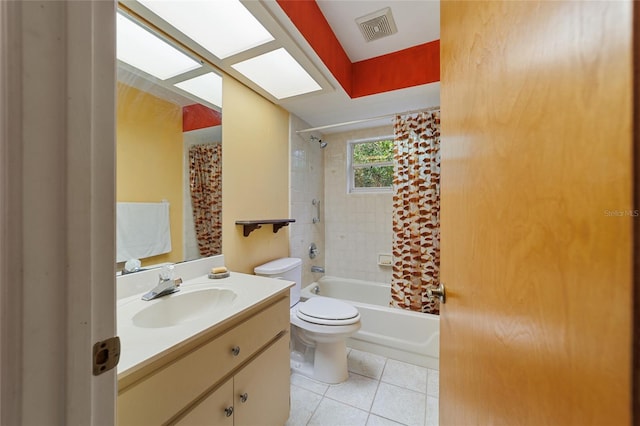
358	226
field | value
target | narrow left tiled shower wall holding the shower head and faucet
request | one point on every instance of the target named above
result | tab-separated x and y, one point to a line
306	183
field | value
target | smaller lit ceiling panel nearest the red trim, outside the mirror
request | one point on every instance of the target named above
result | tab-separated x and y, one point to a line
278	73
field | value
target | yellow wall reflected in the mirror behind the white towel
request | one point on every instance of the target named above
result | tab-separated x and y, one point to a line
149	158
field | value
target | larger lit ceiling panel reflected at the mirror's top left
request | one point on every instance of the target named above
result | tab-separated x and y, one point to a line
143	50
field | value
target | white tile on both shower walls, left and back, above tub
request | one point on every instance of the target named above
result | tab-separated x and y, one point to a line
354	228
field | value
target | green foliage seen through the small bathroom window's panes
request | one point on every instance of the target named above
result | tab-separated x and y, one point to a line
373	164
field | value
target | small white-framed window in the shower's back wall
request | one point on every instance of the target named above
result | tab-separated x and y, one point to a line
370	165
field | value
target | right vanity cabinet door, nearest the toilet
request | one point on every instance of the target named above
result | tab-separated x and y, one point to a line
261	389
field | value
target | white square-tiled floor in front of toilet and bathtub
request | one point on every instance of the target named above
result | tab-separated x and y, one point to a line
379	392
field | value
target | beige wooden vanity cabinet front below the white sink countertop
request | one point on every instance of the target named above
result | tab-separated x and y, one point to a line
242	366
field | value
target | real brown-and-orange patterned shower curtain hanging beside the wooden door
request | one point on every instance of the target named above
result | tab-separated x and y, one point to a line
416	211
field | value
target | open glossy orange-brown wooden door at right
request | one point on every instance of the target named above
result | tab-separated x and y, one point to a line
537	212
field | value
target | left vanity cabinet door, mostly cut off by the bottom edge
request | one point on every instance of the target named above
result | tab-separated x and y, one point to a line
213	410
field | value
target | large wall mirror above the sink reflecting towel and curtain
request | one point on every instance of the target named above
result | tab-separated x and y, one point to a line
169	149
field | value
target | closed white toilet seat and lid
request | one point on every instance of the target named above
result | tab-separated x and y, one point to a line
327	311
